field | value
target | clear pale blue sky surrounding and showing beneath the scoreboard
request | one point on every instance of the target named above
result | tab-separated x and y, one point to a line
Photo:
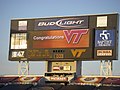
12	9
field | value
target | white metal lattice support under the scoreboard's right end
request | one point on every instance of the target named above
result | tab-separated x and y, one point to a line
106	67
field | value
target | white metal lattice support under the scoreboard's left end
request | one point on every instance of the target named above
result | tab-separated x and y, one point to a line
23	68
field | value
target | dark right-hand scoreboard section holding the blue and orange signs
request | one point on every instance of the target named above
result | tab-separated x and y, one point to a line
105	44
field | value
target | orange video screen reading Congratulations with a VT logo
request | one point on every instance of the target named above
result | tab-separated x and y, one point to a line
60	38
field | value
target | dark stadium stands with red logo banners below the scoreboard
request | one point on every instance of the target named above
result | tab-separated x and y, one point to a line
38	83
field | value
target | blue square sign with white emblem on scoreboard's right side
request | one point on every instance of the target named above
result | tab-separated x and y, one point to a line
104	38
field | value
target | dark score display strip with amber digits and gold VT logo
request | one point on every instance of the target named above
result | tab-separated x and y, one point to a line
68	54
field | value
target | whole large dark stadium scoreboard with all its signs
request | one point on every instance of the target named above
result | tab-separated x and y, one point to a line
88	37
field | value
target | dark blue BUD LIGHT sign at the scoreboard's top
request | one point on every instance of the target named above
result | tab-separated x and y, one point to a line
61	23
